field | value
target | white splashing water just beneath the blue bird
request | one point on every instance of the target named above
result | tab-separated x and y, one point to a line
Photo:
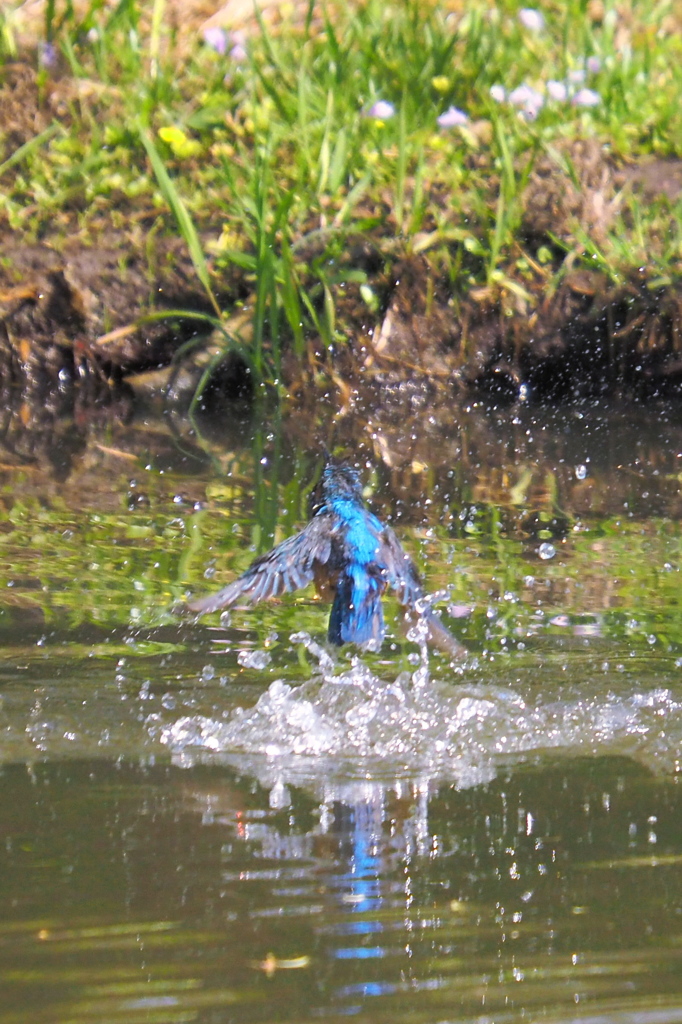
361	726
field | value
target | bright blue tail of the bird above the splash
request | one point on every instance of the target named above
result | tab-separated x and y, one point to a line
357	616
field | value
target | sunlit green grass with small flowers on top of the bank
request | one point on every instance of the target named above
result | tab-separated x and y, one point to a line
273	163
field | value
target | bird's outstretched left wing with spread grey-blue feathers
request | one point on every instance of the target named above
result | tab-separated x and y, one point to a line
288	567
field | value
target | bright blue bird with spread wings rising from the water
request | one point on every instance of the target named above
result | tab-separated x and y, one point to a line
352	557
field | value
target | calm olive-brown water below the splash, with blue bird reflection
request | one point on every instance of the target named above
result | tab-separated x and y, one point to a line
552	891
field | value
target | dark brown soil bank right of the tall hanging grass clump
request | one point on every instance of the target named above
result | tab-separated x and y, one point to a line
586	339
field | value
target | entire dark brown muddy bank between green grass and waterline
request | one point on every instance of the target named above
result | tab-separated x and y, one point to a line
76	314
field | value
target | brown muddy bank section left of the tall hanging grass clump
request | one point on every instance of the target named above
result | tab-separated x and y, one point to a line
81	312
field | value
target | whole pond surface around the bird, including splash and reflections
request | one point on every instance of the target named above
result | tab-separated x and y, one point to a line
223	821
